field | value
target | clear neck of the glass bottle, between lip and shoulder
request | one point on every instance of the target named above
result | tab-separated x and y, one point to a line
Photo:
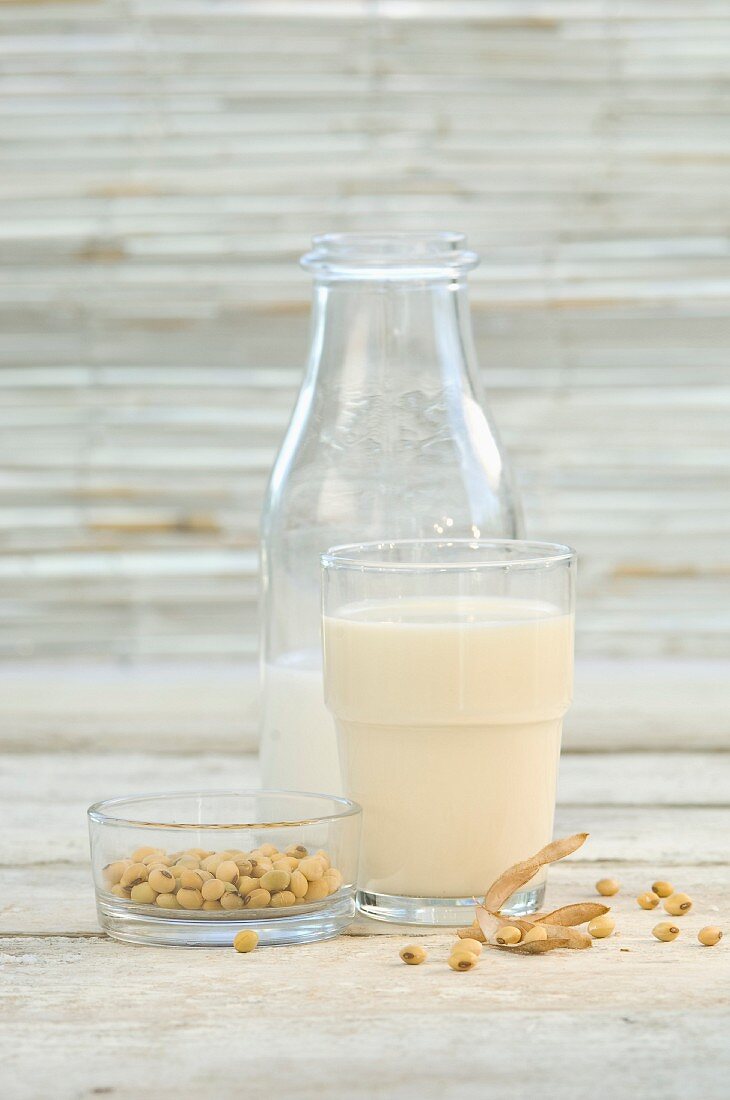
393	337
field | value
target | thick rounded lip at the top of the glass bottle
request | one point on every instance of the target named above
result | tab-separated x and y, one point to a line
390	256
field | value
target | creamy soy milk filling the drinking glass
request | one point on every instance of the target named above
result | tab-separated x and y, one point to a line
449	714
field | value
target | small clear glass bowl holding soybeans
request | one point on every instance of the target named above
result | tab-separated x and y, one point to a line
191	870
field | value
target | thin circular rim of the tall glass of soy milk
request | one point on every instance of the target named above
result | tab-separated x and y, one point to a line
534	555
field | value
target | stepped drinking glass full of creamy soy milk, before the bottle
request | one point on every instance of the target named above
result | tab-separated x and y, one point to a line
448	670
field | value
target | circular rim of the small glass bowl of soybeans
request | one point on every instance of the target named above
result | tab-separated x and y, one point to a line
98	812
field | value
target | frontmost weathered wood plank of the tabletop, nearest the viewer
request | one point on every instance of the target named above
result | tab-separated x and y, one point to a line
351	1009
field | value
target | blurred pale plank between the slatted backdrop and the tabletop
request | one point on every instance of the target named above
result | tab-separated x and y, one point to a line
191	708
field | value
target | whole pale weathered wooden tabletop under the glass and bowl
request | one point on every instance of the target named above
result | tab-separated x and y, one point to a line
85	1017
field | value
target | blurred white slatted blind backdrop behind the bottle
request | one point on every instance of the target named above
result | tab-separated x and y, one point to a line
164	163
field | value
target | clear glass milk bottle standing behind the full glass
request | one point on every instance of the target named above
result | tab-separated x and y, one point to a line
390	439
